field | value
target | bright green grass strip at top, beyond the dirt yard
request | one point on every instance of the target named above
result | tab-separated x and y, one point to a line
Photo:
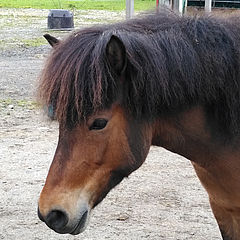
77	4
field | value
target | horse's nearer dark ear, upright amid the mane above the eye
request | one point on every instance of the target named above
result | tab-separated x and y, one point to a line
116	54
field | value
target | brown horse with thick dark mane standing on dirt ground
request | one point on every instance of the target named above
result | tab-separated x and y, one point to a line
159	79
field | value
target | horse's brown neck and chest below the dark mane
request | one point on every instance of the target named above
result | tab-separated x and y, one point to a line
216	163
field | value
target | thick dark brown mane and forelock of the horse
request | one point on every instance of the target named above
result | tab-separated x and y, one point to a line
172	63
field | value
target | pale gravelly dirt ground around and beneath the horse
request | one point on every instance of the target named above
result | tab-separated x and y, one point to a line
162	200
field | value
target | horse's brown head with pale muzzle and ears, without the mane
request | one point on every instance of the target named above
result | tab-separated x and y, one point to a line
93	156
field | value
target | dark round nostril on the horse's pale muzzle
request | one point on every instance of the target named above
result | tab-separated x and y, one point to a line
56	220
